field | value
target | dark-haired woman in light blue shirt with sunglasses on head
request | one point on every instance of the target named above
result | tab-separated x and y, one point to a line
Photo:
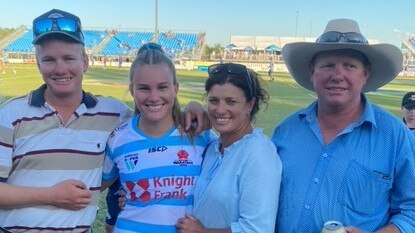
238	188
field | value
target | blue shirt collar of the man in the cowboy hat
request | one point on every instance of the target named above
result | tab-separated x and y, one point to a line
368	114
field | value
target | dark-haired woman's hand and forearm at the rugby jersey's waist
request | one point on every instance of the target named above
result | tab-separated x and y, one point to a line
190	224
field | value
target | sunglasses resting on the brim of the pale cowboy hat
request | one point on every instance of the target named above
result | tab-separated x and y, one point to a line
347	37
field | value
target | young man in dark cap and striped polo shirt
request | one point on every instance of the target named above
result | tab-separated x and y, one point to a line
52	140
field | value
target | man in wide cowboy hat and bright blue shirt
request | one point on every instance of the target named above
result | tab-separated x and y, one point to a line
344	158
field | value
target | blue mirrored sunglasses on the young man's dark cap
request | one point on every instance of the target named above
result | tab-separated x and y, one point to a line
63	24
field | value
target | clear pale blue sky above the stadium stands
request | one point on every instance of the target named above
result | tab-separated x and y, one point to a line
384	20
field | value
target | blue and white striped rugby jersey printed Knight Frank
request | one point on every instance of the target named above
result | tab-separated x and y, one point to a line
158	175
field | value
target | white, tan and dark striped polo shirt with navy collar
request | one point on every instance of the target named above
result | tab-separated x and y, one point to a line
36	150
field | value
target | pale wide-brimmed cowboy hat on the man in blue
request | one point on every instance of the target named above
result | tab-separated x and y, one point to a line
386	59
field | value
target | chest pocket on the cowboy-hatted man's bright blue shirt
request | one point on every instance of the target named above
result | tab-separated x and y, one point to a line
364	190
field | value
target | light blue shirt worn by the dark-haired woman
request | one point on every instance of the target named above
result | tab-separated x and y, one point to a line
239	189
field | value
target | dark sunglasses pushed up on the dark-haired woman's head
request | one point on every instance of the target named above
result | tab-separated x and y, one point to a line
233	69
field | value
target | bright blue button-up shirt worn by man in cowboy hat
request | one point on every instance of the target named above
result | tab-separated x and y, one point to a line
365	177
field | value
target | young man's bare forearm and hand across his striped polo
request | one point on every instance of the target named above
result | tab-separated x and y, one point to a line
68	194
